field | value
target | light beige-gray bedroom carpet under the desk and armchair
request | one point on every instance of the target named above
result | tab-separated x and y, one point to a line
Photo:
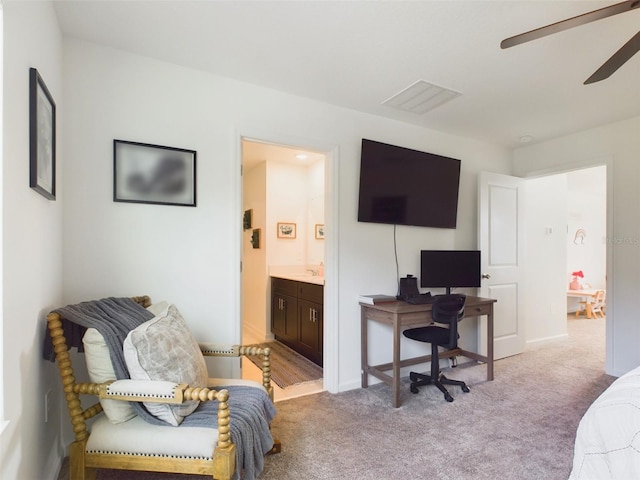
521	426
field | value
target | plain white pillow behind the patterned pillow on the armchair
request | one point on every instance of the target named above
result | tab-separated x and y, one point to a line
100	368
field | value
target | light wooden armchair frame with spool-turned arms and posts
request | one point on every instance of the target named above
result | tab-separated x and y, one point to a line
83	465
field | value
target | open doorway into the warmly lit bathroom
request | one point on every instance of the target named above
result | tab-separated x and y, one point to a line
282	185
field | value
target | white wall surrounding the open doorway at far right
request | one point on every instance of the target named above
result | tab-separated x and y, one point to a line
617	145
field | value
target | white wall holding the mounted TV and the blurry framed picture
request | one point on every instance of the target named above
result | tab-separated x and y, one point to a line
191	256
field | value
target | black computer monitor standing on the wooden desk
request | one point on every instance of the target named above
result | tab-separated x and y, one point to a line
449	268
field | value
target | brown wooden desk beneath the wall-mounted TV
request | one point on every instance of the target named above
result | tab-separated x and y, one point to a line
401	315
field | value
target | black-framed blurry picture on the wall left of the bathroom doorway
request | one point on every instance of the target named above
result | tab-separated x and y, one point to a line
155	174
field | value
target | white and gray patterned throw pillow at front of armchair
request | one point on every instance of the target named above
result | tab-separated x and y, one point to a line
163	348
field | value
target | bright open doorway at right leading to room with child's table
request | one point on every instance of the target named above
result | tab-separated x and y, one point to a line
566	217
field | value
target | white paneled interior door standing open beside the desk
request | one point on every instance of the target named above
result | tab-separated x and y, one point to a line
500	241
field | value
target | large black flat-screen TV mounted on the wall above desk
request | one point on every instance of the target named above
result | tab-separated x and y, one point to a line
407	187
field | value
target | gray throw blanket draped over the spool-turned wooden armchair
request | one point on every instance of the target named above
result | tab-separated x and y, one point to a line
250	408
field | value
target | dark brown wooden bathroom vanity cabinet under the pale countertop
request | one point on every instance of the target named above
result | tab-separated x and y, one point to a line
297	316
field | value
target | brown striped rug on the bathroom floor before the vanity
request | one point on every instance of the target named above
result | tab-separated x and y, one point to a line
287	366
